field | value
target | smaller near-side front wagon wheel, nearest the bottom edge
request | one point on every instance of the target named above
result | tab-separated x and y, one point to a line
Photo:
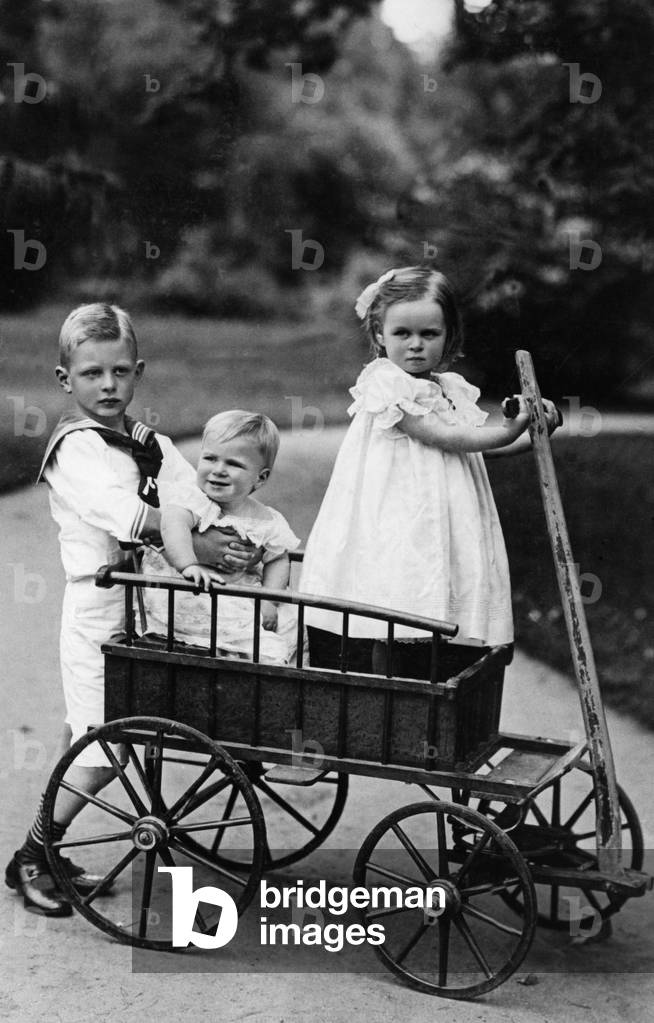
472	945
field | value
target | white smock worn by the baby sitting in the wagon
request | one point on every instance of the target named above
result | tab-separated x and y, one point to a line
267	528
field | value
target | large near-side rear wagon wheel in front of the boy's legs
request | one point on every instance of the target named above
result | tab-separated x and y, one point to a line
129	829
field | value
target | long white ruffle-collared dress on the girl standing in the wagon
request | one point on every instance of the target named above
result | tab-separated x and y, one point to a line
408	526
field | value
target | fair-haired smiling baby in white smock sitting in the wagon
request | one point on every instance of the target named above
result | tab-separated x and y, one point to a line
237	457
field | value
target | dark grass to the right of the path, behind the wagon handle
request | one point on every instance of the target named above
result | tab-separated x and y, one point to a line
608	495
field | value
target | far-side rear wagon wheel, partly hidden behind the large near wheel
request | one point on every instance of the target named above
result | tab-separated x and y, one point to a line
299	819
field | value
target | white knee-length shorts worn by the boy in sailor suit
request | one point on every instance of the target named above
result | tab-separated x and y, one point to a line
91	617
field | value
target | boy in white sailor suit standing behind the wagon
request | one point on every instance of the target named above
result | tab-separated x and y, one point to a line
105	471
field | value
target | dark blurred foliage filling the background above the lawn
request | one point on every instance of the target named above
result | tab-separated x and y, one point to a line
173	122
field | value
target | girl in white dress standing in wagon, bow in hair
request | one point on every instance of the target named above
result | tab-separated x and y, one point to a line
409	521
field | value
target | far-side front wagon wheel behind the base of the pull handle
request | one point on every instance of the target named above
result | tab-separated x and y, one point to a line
557	829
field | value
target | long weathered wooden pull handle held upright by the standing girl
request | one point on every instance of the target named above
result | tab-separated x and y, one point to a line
608	814
